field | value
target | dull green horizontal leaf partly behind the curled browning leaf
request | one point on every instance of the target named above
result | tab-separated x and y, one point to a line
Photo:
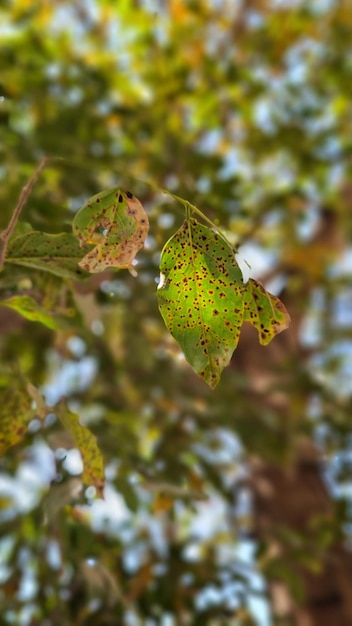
58	254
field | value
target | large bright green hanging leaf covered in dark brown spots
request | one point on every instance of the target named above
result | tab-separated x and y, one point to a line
200	297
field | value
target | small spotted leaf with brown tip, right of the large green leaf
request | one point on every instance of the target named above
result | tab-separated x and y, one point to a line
264	311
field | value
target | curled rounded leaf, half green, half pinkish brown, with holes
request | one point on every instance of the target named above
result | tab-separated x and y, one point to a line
116	223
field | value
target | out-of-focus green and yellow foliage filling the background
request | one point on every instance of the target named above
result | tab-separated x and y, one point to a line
245	110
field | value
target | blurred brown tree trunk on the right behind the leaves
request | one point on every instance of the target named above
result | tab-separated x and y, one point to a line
294	515
